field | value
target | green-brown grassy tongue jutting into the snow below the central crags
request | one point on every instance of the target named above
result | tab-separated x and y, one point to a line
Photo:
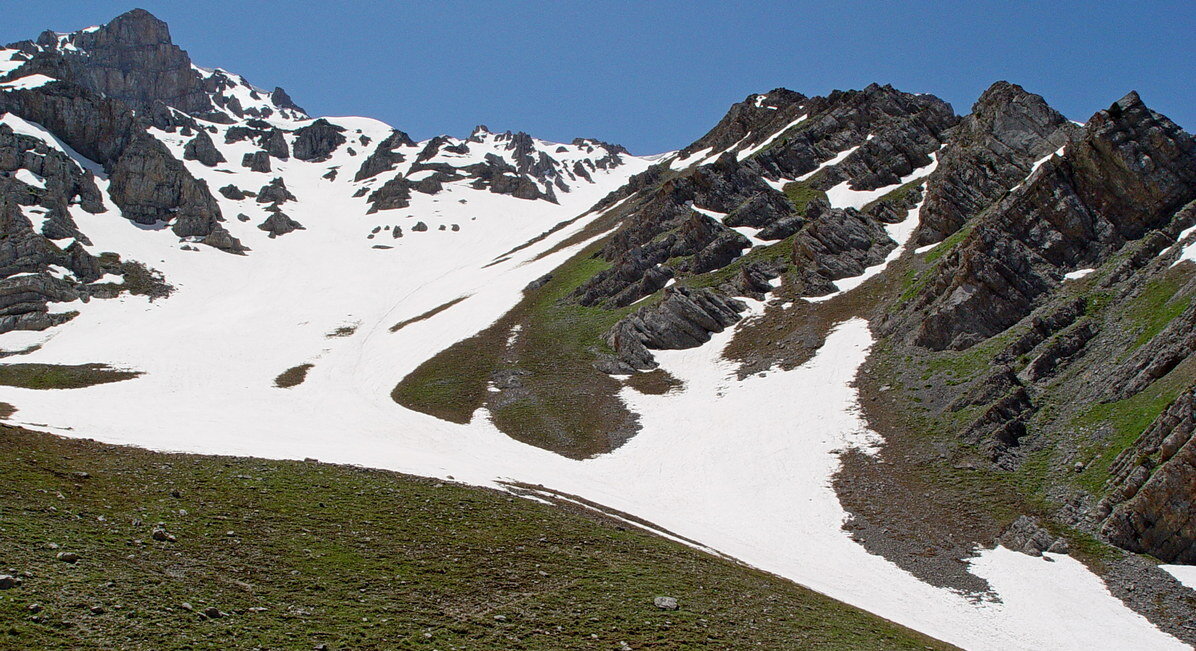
565	404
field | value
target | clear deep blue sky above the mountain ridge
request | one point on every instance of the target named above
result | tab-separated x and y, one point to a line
656	76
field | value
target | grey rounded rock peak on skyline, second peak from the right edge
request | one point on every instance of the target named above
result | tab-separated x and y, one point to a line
988	154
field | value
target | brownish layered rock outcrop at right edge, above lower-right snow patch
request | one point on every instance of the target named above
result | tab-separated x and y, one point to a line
1152	508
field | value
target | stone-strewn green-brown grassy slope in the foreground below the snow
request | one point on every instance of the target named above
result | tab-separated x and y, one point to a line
298	555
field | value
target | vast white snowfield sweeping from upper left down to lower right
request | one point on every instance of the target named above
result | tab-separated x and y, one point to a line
710	465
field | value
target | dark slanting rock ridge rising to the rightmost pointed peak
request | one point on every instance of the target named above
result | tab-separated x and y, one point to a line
1130	174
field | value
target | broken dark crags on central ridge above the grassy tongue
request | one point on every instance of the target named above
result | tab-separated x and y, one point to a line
894	133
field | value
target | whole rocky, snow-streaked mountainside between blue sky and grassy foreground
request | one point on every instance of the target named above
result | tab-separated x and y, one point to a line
937	367
